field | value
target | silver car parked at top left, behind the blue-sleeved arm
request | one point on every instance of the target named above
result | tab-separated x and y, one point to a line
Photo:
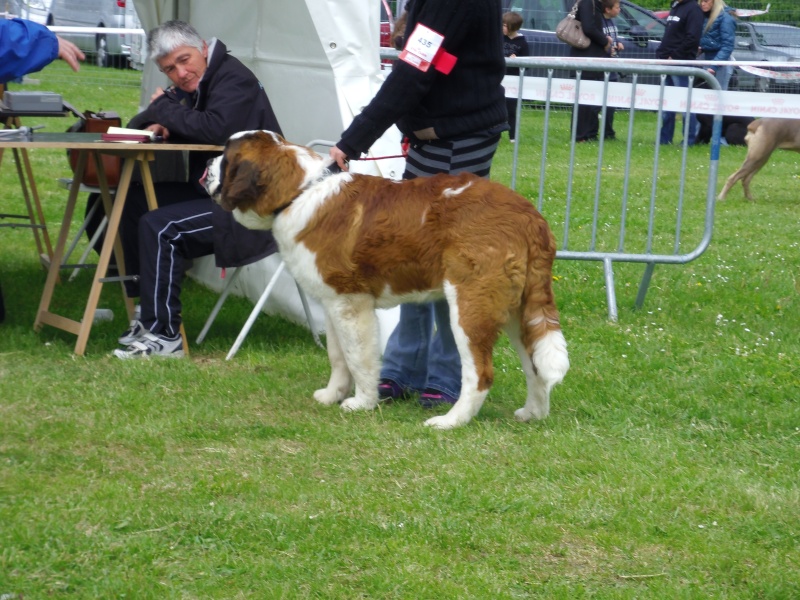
108	50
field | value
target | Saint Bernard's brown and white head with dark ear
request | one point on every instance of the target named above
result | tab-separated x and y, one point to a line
257	175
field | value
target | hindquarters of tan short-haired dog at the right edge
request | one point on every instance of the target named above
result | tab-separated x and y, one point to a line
763	137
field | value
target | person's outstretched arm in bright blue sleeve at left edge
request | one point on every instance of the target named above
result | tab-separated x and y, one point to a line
27	47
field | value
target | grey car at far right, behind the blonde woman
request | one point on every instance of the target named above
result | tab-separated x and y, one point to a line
768	42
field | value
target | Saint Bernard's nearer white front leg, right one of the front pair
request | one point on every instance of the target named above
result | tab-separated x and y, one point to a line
356	326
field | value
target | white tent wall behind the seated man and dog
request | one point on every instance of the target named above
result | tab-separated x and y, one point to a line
318	61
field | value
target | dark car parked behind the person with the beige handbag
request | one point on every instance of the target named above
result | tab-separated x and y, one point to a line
639	29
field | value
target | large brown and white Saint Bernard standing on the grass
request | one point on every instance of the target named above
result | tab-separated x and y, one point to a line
358	242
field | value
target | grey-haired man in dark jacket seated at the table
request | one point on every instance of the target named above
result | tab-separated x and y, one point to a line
214	97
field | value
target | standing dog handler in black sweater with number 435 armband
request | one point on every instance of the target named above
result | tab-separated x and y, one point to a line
445	94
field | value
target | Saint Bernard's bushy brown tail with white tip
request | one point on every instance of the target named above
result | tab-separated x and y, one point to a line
540	326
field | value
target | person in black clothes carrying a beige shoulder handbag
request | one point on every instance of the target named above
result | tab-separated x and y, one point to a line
590	14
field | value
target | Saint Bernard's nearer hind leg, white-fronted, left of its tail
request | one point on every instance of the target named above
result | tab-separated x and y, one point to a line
475	335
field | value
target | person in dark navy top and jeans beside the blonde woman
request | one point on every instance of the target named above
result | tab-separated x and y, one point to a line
680	42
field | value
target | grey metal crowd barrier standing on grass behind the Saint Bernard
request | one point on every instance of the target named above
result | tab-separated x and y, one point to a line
612	219
